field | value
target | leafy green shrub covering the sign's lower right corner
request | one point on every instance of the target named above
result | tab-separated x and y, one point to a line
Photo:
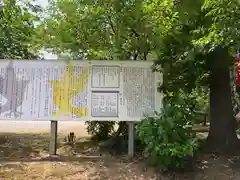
168	137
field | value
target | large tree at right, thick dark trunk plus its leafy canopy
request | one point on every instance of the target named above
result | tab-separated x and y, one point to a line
199	51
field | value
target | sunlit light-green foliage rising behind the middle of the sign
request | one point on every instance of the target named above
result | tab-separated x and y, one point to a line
107	29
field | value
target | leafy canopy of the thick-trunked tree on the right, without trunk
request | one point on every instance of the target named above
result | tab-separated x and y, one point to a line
199	27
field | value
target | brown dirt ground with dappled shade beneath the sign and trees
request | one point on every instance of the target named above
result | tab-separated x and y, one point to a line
23	156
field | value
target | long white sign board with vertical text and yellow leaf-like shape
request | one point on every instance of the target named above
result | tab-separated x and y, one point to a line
78	90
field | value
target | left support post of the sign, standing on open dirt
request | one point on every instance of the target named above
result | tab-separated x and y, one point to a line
53	138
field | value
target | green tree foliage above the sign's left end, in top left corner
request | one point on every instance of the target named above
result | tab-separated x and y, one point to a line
17	29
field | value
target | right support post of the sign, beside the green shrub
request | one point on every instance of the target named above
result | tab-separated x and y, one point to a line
131	139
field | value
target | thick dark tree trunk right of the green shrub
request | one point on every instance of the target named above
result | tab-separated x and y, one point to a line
222	135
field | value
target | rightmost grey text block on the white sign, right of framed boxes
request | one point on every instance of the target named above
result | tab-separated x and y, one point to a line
138	91
